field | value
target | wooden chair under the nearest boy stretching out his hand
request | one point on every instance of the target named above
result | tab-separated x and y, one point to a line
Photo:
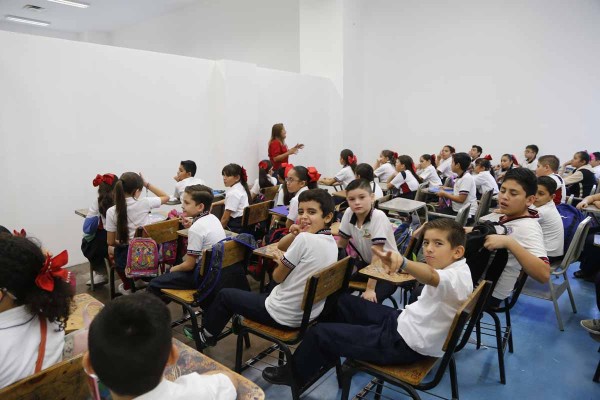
410	377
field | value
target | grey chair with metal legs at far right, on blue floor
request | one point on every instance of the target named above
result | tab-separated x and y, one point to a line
552	291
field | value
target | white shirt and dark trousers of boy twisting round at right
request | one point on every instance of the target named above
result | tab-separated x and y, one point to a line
528	233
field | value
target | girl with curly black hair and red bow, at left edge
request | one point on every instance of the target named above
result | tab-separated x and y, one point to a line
35	302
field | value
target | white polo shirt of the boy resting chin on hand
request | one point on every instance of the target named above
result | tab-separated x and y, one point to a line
308	254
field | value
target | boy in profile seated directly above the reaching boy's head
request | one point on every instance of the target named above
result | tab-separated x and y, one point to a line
464	191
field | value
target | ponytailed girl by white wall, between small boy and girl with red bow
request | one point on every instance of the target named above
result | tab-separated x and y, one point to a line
237	196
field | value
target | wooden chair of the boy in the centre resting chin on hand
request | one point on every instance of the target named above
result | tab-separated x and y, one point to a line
329	282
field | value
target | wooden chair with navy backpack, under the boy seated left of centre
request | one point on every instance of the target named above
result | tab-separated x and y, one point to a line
234	253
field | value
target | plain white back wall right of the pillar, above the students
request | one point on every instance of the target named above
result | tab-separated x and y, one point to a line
499	74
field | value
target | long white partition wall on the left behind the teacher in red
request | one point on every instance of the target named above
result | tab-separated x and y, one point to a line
70	110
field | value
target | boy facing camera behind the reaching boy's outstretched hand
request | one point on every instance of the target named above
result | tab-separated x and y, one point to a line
367	227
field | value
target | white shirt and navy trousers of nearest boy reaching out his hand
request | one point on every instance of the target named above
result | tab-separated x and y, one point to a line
382	335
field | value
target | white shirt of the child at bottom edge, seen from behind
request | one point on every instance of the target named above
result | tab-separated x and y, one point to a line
193	387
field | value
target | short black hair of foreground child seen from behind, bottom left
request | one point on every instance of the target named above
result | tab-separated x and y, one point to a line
129	343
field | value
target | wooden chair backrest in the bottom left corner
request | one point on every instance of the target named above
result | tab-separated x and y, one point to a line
65	380
